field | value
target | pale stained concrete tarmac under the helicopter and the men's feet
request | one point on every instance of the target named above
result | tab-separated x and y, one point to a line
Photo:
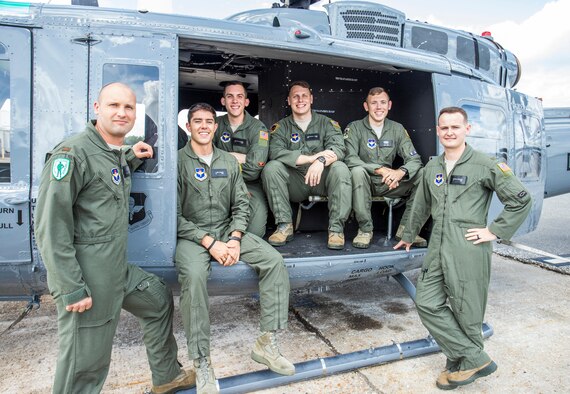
528	308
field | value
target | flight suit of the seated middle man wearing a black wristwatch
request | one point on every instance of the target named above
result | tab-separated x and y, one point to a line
283	180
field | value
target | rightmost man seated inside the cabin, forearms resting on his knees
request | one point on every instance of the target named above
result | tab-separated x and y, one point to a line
372	144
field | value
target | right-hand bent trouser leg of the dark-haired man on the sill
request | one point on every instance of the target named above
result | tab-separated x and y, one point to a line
273	281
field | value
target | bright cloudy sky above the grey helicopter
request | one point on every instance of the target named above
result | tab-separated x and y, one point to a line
536	31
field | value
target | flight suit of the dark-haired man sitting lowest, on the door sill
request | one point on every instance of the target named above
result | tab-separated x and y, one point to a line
212	200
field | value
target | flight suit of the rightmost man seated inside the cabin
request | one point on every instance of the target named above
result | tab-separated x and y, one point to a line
365	153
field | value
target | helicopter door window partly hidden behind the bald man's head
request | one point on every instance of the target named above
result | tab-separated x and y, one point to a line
144	80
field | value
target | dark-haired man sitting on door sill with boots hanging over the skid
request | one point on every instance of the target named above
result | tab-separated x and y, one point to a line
213	210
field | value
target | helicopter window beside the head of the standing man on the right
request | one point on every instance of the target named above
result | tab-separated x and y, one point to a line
488	128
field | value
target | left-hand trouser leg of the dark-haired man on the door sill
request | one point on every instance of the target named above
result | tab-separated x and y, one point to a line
193	265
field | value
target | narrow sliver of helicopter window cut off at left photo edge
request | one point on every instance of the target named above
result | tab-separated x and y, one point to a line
4	121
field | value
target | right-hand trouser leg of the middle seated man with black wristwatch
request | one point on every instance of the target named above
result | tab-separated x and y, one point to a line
339	191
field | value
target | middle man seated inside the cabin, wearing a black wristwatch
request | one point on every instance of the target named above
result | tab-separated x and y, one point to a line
305	158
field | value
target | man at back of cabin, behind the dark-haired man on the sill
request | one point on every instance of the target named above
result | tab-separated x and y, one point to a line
247	139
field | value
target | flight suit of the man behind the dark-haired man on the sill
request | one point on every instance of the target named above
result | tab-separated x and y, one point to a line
252	139
